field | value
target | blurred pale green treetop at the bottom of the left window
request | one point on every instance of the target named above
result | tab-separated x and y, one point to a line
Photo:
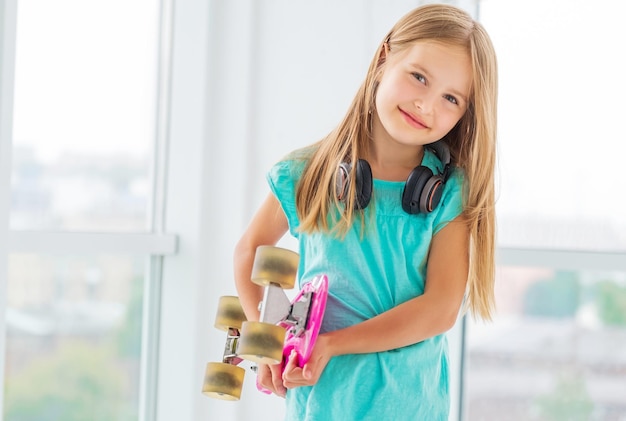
78	382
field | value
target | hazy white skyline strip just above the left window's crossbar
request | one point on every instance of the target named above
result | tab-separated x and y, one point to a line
79	192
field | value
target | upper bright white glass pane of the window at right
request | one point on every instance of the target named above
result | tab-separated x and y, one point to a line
561	113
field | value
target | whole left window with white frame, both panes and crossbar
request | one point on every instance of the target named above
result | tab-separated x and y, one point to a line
85	241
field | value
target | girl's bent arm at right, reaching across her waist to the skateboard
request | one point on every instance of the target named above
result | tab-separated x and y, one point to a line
418	319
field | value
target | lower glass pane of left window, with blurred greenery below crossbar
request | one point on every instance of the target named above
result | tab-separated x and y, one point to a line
74	327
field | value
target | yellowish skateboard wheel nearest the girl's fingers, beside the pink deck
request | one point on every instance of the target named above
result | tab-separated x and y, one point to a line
261	342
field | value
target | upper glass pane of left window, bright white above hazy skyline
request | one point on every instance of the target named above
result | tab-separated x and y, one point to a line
84	114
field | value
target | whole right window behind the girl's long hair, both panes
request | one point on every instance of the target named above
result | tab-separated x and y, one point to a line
556	348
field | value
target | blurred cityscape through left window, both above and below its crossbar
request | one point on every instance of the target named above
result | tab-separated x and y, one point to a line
74	323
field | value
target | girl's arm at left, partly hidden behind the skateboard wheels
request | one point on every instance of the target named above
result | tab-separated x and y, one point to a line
268	226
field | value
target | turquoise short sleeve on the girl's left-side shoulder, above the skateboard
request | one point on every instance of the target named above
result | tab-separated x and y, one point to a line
283	178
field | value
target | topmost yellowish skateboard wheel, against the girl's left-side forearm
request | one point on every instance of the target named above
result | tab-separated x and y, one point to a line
275	265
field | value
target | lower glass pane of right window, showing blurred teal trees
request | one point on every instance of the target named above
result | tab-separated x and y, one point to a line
556	350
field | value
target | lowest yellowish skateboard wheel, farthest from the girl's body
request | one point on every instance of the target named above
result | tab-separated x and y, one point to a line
223	381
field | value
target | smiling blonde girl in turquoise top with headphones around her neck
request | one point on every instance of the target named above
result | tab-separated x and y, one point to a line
396	207
